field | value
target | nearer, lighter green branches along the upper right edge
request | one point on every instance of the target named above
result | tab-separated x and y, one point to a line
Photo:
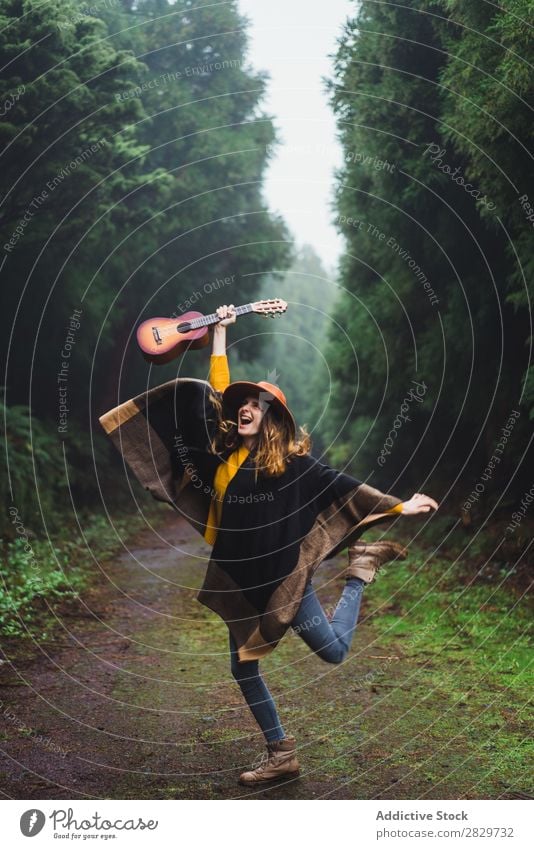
487	118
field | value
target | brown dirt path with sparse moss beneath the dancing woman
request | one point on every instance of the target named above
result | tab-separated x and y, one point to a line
134	699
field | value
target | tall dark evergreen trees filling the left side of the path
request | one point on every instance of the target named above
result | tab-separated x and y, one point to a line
134	149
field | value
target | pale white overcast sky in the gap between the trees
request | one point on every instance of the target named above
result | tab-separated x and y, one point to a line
292	40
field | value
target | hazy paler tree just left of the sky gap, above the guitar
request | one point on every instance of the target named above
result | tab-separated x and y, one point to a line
205	126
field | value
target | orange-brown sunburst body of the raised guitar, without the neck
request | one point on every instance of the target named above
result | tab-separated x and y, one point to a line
160	341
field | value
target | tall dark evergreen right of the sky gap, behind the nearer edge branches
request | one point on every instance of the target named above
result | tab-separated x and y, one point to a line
424	274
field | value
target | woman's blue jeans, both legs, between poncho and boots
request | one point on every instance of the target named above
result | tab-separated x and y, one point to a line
329	640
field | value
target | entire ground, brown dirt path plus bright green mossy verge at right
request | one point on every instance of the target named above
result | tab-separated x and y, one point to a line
133	697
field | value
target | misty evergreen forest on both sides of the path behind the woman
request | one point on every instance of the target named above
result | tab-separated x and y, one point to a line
134	149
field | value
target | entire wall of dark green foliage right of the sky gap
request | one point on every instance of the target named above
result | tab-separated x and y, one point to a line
431	287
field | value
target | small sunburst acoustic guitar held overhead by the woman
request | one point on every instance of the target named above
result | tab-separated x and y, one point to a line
163	339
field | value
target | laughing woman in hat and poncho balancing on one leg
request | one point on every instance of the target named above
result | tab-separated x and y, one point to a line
229	457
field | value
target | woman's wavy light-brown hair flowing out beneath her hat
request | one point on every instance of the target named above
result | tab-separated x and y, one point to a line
276	443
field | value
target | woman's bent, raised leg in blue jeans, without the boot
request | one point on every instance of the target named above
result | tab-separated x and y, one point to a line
329	640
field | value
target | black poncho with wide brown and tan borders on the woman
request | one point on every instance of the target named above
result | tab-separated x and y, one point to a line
274	532
